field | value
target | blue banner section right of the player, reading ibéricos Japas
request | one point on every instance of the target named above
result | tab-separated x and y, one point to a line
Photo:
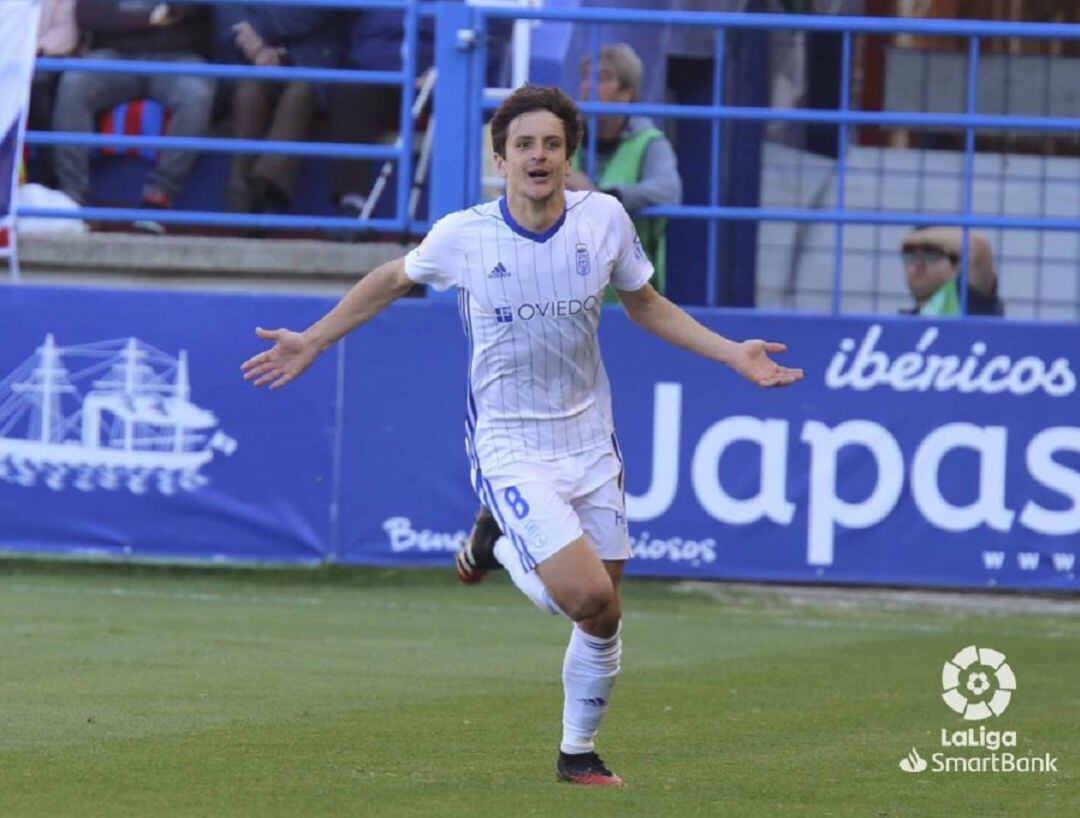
914	453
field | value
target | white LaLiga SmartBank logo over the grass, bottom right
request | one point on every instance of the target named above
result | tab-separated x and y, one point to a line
978	685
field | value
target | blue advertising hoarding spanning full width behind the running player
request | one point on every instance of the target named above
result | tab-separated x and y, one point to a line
917	453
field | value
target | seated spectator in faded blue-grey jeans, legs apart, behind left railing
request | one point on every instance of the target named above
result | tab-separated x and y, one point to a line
138	30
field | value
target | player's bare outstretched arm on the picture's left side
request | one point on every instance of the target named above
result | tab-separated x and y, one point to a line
293	353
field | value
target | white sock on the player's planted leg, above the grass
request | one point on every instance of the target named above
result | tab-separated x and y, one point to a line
589	674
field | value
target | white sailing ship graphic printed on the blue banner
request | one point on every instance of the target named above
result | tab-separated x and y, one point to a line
134	427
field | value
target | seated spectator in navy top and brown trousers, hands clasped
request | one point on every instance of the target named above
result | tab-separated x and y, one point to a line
274	36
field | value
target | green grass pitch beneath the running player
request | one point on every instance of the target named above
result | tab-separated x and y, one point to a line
144	692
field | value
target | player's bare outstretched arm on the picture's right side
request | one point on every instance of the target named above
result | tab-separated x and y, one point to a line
652	312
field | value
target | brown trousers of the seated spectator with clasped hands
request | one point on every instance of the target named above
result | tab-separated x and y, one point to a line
274	112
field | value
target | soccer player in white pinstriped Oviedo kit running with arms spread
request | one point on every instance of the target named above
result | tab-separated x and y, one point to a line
531	272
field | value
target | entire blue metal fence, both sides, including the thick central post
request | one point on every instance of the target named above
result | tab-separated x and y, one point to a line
461	61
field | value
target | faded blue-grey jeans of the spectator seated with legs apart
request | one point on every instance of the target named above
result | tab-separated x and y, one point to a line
82	96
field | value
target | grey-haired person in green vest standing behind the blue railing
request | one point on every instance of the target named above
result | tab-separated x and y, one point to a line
636	163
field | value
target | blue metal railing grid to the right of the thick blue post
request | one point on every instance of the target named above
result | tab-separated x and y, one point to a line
843	117
